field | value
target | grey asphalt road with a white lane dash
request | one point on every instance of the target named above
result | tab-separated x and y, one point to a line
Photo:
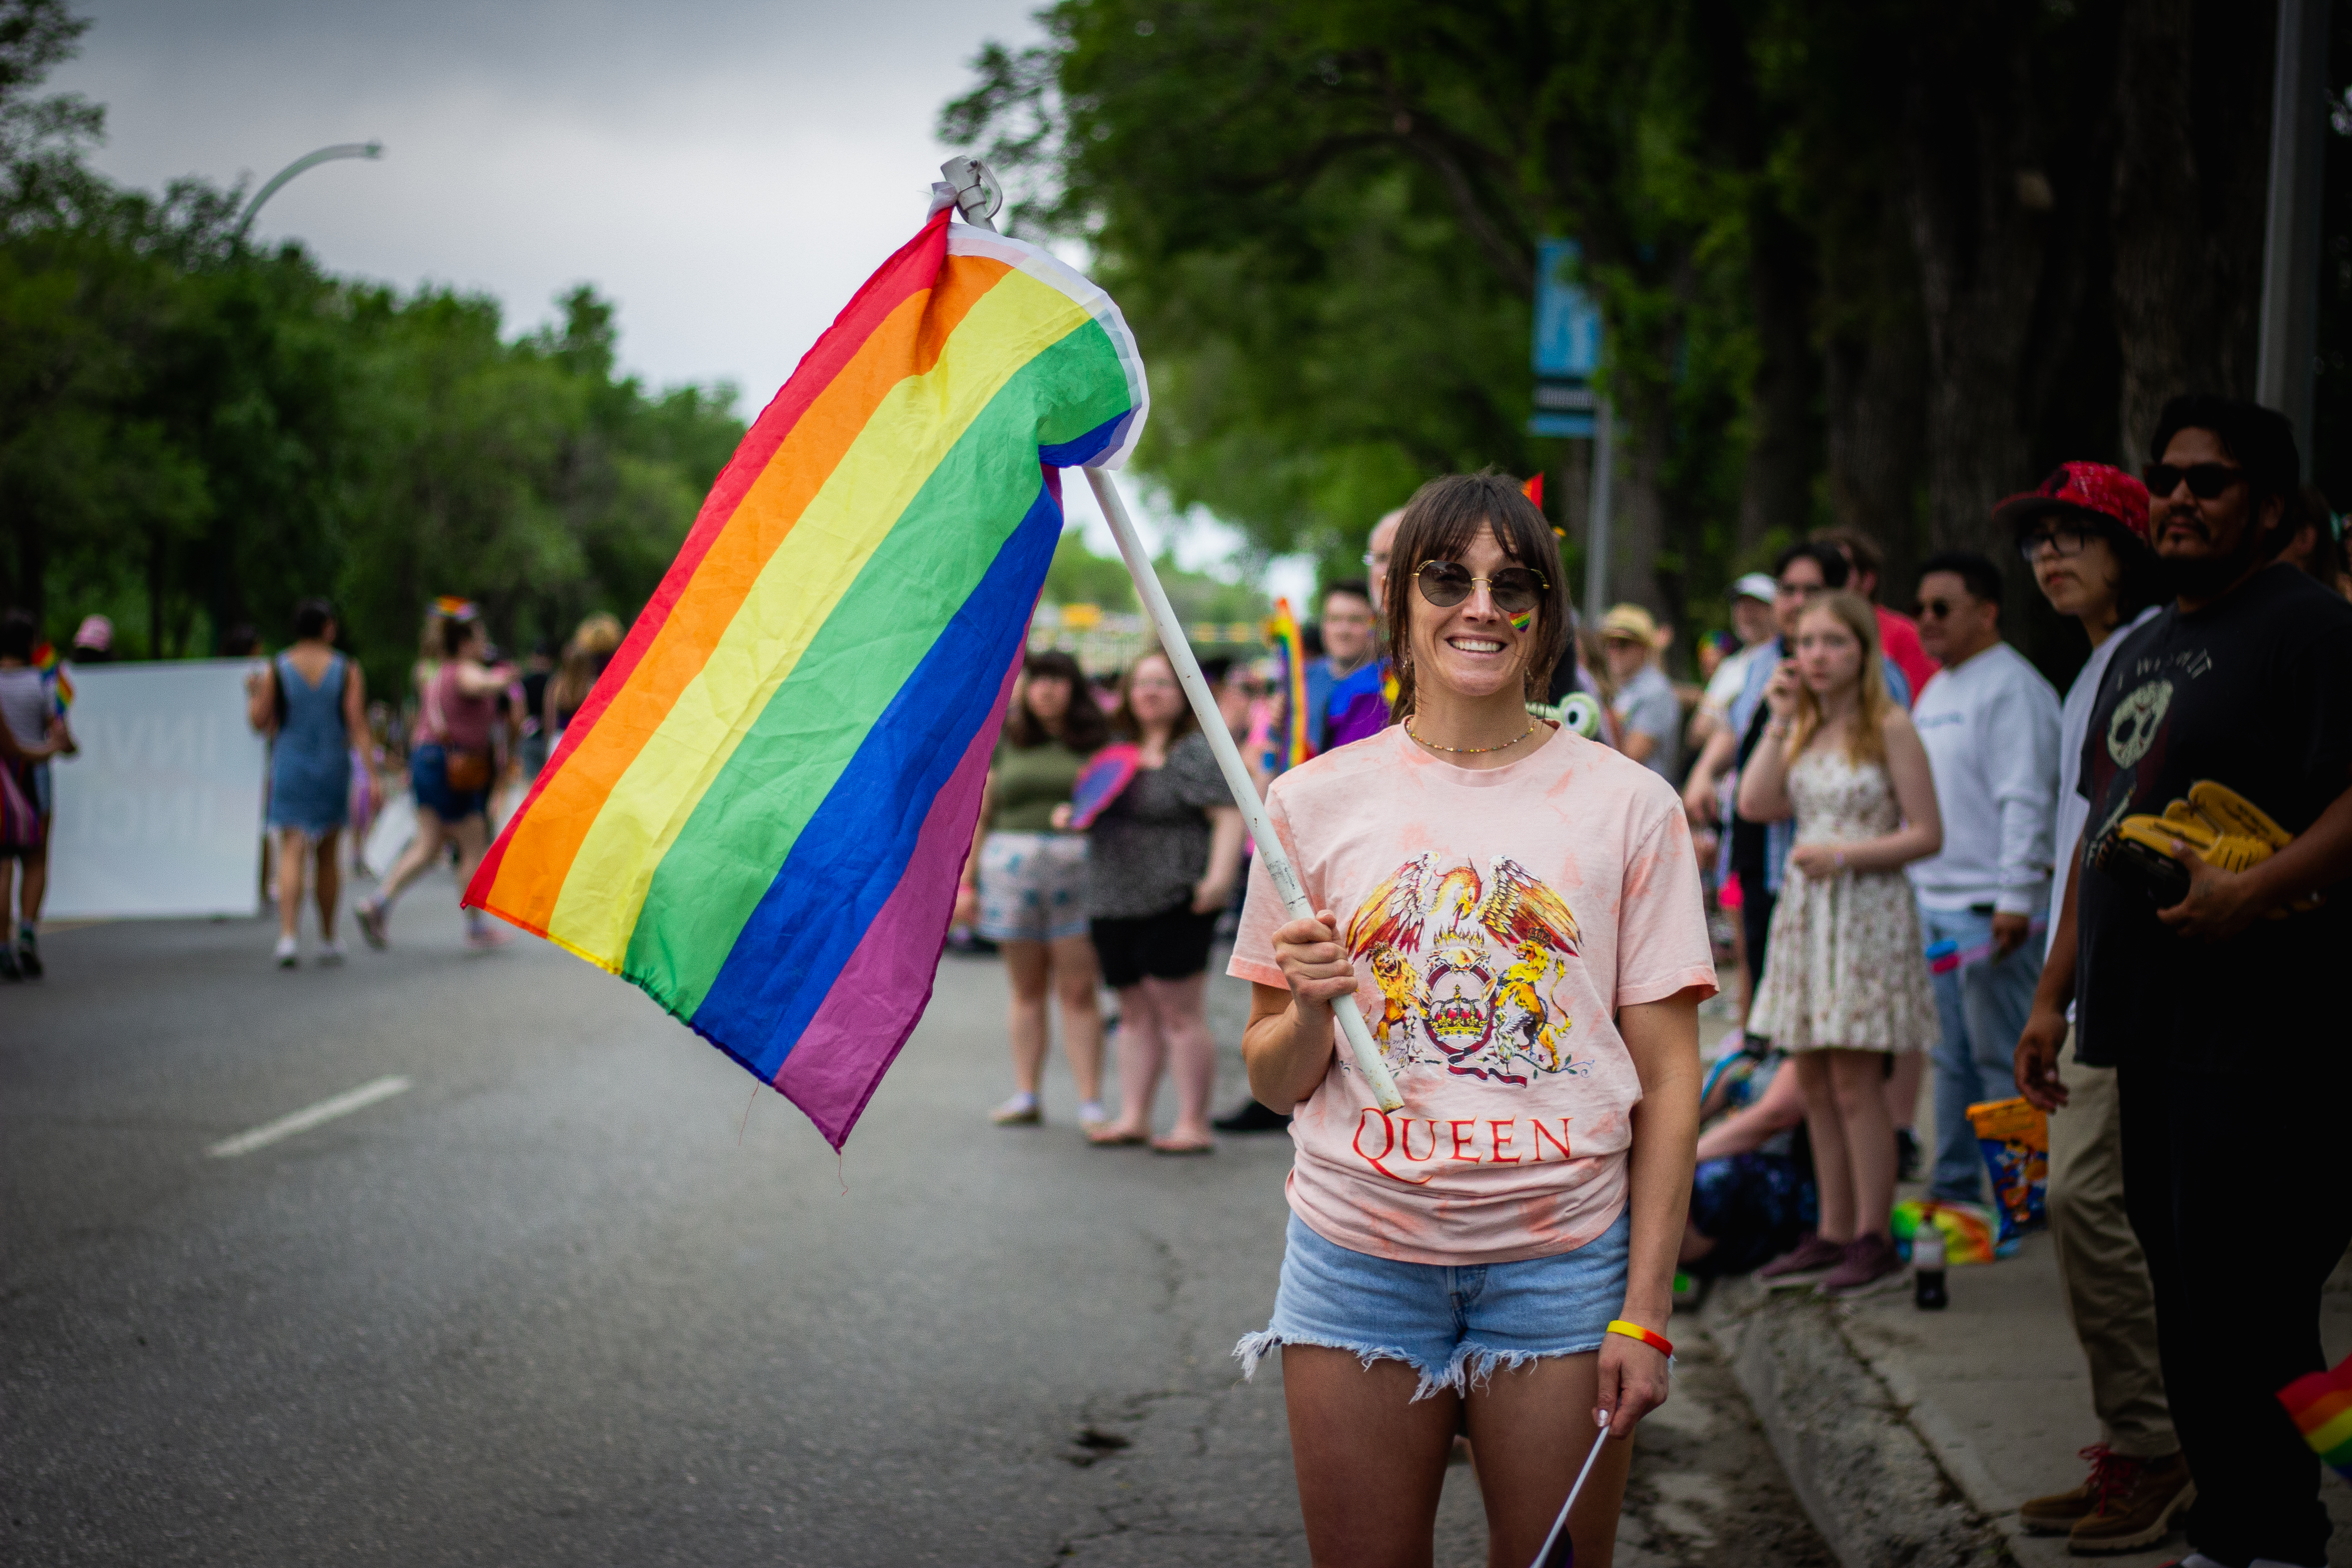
582	1296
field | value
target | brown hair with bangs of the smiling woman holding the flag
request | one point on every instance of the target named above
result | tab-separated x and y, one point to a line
1438	525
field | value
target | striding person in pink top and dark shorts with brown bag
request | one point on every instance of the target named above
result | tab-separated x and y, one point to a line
453	765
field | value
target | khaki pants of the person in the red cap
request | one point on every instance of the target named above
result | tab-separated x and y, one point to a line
2102	1268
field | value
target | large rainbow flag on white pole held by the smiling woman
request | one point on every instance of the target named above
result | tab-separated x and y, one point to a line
763	808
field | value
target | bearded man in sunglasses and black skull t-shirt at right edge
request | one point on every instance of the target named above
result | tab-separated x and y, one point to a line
2217	1007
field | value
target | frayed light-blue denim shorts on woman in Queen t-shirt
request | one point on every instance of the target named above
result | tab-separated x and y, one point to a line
1452	1325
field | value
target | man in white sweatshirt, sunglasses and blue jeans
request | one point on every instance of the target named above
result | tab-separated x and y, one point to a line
1991	730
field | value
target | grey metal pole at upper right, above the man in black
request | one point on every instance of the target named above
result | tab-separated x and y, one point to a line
2292	234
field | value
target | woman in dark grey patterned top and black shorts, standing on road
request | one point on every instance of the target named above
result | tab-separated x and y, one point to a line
1161	866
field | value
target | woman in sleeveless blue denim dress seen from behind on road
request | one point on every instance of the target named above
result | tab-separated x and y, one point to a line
312	702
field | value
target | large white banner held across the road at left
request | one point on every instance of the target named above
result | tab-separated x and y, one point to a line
161	815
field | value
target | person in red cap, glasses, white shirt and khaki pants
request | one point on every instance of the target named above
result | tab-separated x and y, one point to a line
2085	537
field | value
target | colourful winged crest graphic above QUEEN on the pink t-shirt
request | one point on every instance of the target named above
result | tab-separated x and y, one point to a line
1469	970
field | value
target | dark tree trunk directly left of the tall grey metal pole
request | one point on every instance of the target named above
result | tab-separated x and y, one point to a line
2191	189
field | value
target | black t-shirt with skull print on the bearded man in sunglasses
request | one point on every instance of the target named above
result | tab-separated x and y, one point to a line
2252	692
